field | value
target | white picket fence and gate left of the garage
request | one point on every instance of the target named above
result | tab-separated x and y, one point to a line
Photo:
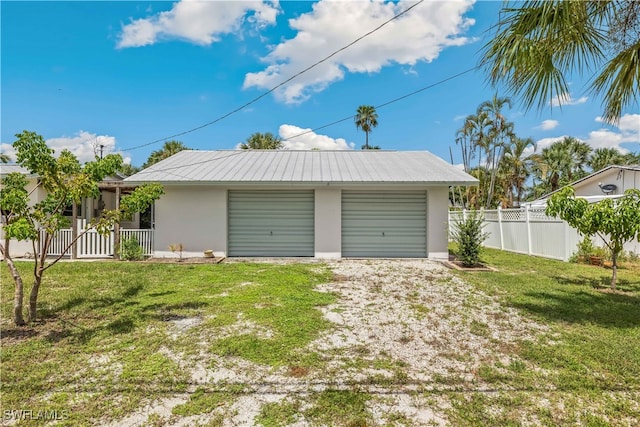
93	245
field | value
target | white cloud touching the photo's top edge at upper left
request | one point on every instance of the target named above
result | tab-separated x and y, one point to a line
197	21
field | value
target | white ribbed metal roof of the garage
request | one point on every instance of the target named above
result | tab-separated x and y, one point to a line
288	166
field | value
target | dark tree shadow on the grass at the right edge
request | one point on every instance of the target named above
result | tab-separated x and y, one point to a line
603	309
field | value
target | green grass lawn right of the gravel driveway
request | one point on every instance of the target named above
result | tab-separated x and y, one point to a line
589	359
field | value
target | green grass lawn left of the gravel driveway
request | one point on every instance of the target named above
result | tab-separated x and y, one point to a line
99	312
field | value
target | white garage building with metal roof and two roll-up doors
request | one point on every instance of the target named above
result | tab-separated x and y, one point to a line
324	204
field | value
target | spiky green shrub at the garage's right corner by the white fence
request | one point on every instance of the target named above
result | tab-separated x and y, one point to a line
468	233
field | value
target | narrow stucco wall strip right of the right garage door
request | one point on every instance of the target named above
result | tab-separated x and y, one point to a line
437	223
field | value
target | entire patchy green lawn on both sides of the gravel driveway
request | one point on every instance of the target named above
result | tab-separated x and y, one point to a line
103	347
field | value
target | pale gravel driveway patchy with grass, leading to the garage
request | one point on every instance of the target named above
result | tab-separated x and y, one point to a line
405	331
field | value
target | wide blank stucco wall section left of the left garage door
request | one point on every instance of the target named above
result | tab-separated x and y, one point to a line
195	216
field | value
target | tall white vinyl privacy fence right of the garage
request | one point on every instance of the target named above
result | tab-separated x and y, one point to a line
531	231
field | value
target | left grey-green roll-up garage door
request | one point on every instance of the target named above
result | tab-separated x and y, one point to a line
271	223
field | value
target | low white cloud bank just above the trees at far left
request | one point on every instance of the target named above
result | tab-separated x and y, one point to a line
84	145
